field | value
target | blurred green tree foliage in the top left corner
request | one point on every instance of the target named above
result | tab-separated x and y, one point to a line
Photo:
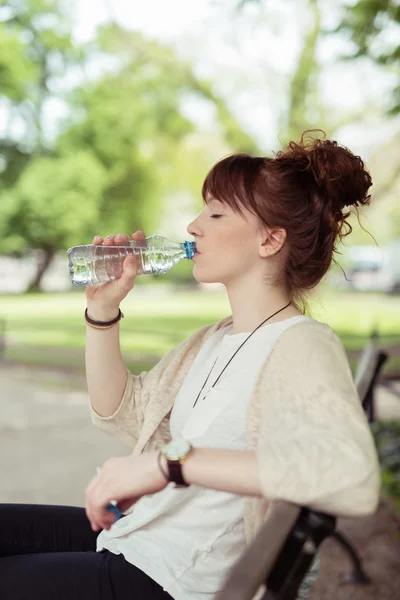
36	50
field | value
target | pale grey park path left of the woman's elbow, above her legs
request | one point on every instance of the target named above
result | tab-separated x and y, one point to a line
50	449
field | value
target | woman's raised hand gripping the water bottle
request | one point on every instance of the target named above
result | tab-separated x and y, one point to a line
104	298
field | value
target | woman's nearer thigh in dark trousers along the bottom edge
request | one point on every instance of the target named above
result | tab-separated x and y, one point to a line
75	576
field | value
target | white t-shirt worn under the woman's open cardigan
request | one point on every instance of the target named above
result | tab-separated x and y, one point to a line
186	539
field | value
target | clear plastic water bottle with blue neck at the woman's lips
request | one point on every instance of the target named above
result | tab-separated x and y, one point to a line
155	254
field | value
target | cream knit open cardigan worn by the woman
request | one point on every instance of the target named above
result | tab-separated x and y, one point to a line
304	419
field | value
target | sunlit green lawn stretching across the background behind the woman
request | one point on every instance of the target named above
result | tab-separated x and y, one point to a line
48	329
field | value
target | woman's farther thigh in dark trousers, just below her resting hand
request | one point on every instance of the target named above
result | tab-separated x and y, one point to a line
30	528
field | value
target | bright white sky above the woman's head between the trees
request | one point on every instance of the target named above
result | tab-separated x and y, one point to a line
248	57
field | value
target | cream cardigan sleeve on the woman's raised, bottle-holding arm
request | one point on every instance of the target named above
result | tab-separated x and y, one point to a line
127	421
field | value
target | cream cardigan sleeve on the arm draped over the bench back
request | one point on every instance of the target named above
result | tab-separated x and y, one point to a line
315	446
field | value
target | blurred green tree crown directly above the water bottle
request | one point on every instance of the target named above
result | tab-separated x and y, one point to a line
131	121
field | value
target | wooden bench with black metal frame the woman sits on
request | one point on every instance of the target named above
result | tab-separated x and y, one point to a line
275	564
